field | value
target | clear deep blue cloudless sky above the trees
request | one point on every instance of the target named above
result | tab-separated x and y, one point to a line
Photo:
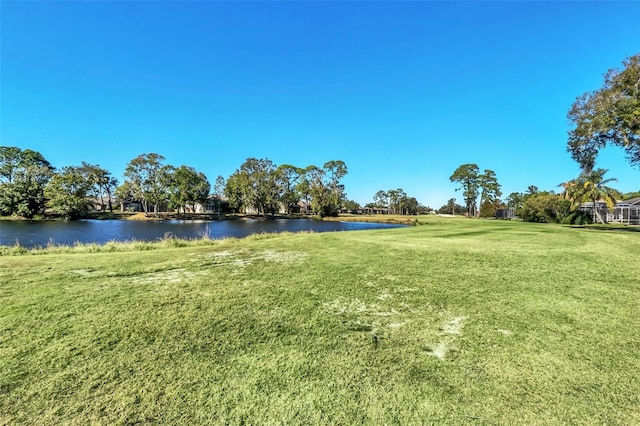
402	92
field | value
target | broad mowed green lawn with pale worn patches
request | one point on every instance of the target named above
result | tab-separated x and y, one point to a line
451	322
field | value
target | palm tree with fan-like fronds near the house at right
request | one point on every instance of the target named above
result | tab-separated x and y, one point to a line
591	186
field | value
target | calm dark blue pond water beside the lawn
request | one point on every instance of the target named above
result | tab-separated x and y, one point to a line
41	233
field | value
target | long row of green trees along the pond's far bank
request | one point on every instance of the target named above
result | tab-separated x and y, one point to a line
30	185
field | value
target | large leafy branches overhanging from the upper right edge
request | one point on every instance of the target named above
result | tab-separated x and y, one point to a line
608	116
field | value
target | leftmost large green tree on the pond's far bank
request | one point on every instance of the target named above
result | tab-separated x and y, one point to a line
24	174
